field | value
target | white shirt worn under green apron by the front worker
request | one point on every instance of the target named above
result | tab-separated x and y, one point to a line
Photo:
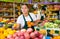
21	21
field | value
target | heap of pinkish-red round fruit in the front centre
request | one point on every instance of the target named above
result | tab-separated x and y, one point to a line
25	34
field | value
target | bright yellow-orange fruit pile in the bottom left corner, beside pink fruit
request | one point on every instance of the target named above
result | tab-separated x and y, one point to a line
5	32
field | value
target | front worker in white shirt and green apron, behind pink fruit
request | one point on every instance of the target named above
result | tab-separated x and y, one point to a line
25	17
